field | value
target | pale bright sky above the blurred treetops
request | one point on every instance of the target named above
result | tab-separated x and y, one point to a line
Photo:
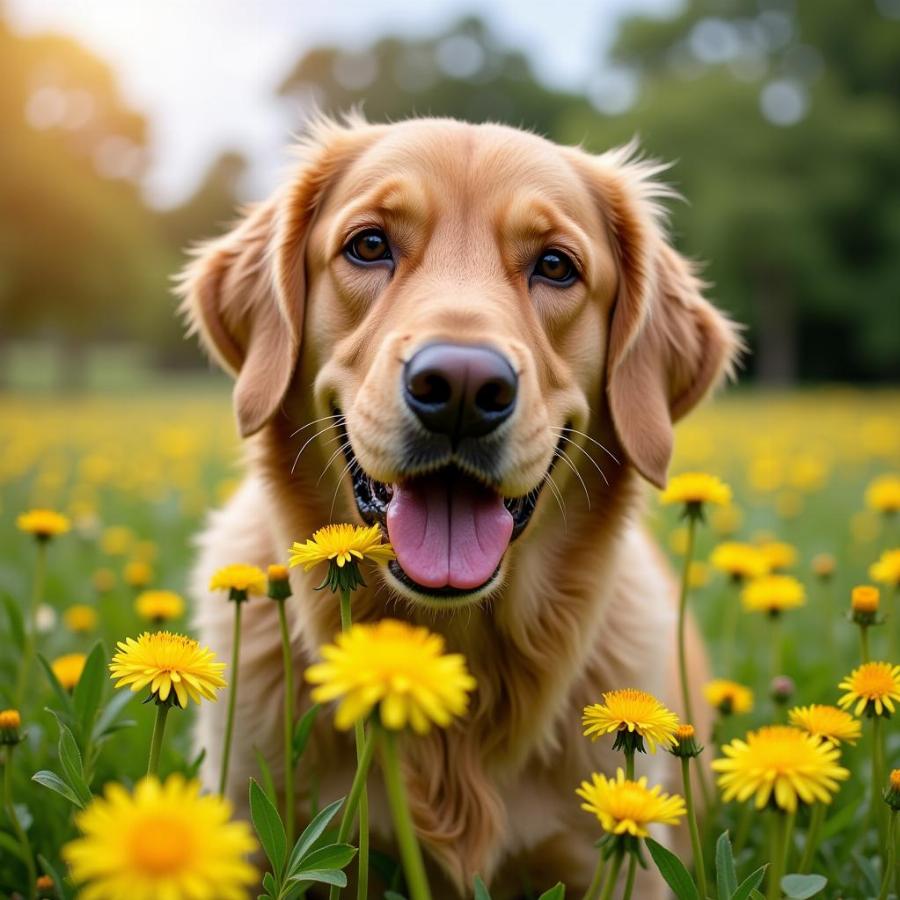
177	59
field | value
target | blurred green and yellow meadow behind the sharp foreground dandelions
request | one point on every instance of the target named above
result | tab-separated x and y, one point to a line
137	472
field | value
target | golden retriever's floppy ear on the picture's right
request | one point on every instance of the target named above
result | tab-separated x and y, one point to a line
668	346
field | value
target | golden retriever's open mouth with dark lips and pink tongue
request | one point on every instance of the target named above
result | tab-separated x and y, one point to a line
449	529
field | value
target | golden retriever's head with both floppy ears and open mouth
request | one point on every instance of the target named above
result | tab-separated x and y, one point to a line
465	302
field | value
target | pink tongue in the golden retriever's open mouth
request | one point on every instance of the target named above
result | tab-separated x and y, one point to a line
448	533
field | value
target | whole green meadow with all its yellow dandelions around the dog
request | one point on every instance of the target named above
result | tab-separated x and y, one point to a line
786	551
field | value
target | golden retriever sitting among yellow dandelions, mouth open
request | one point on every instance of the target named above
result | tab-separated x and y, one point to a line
480	340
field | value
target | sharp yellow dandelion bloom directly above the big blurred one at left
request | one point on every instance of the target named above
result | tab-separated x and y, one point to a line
173	666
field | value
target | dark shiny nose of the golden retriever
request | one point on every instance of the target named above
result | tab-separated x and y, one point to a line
458	390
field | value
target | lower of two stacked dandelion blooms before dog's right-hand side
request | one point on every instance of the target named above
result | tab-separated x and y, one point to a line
629	807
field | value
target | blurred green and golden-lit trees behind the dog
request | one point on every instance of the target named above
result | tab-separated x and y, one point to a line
782	120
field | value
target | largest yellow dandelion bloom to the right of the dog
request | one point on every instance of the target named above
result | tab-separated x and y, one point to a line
779	764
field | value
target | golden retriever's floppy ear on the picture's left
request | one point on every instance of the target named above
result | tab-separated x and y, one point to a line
244	293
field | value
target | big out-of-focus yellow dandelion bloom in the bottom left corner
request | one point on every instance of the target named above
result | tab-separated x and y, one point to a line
164	840
